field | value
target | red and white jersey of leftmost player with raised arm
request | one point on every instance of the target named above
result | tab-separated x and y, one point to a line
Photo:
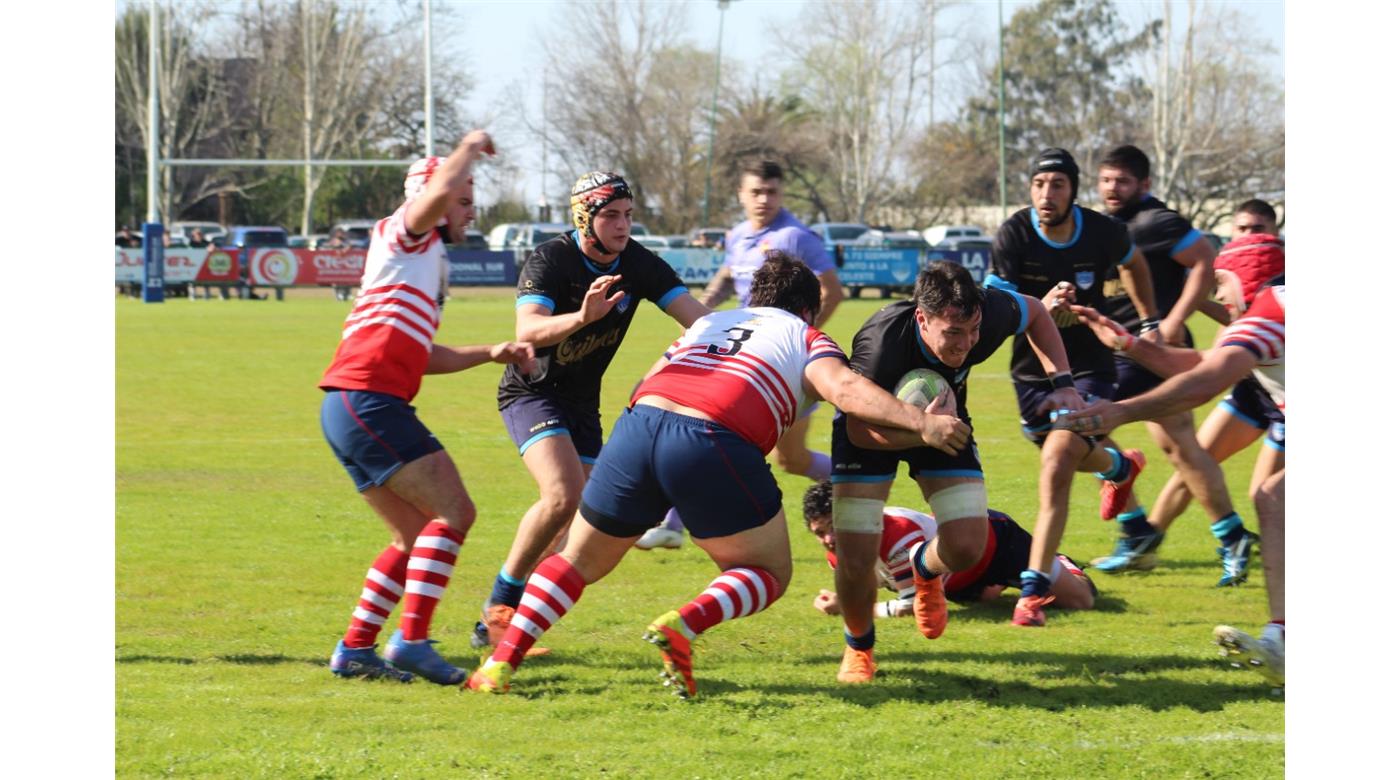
388	338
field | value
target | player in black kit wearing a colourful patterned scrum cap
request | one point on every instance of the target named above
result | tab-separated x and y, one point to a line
576	299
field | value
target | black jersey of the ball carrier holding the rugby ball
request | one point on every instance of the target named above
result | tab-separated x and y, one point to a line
888	347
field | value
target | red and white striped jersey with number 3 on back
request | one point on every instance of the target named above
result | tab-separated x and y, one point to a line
744	369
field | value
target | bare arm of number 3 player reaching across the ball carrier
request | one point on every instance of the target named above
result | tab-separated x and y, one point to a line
862	398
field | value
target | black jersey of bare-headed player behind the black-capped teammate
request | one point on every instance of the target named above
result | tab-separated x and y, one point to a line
1160	233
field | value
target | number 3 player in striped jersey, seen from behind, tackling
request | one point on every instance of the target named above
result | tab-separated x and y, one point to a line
695	439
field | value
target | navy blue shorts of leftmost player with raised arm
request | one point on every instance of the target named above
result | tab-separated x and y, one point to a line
374	435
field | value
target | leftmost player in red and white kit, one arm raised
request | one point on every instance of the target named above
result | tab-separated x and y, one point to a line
401	468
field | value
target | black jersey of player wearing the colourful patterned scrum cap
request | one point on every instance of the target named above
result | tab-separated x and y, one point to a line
558	277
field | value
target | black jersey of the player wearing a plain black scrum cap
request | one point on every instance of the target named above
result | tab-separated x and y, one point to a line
1025	261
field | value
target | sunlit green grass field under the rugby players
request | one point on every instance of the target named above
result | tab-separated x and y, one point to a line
241	547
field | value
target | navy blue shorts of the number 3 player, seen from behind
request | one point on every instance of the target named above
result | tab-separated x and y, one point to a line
657	460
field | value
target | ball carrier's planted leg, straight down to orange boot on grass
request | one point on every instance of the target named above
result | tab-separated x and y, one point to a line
856	583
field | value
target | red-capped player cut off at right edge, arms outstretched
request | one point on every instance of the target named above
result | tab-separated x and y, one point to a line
1252	344
